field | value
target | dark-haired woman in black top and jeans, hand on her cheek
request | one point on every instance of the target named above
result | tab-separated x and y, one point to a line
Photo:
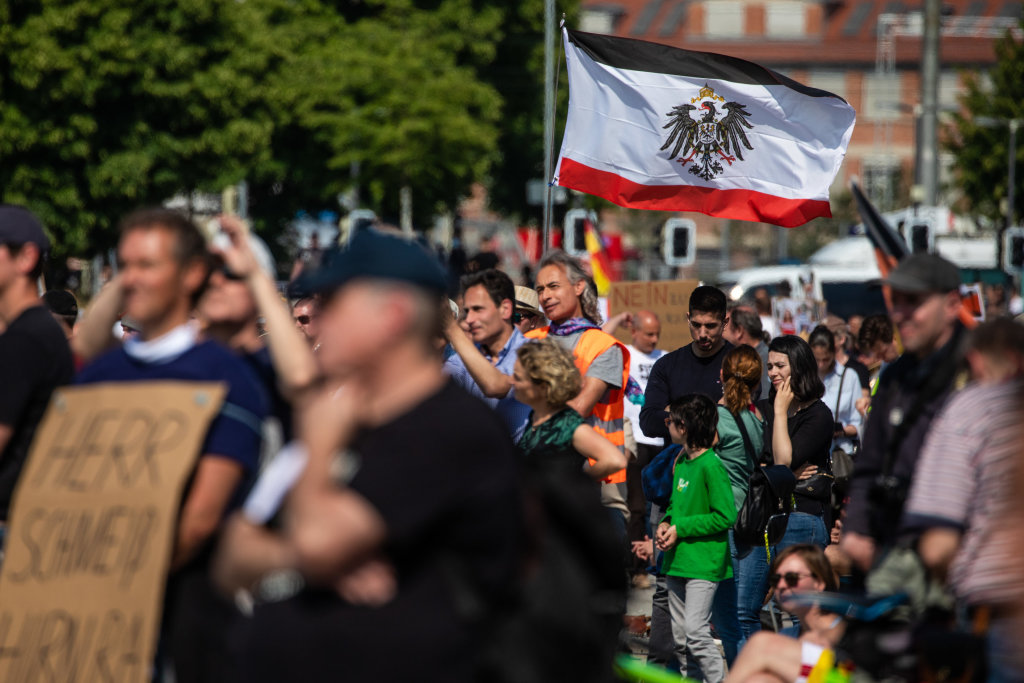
798	434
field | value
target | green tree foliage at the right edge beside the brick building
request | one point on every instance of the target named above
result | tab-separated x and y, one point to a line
982	151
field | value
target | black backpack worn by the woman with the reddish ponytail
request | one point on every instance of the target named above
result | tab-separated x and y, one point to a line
765	515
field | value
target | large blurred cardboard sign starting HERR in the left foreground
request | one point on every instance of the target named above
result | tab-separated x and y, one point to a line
92	530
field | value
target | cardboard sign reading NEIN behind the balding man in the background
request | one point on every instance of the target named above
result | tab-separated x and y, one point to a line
669	300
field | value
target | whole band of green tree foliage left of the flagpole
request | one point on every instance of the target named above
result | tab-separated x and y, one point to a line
106	105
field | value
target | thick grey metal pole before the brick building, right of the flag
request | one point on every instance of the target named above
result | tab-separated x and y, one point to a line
930	102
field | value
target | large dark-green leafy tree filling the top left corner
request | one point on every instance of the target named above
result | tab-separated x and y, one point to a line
108	106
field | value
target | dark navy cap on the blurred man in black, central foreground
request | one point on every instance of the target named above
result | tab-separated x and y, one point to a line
378	255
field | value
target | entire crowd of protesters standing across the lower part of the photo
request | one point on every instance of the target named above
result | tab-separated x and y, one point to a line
401	486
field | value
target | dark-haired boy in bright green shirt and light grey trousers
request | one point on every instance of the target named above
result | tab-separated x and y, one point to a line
695	533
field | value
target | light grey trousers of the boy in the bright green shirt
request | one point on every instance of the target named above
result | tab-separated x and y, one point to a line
690	605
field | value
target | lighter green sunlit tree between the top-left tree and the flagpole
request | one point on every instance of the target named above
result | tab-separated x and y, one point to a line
395	94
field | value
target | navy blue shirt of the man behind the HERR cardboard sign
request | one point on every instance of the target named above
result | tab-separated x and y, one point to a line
235	433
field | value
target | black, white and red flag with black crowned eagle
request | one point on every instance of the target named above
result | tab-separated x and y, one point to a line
657	127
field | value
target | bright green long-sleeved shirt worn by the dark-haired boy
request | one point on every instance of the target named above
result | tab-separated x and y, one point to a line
702	509
